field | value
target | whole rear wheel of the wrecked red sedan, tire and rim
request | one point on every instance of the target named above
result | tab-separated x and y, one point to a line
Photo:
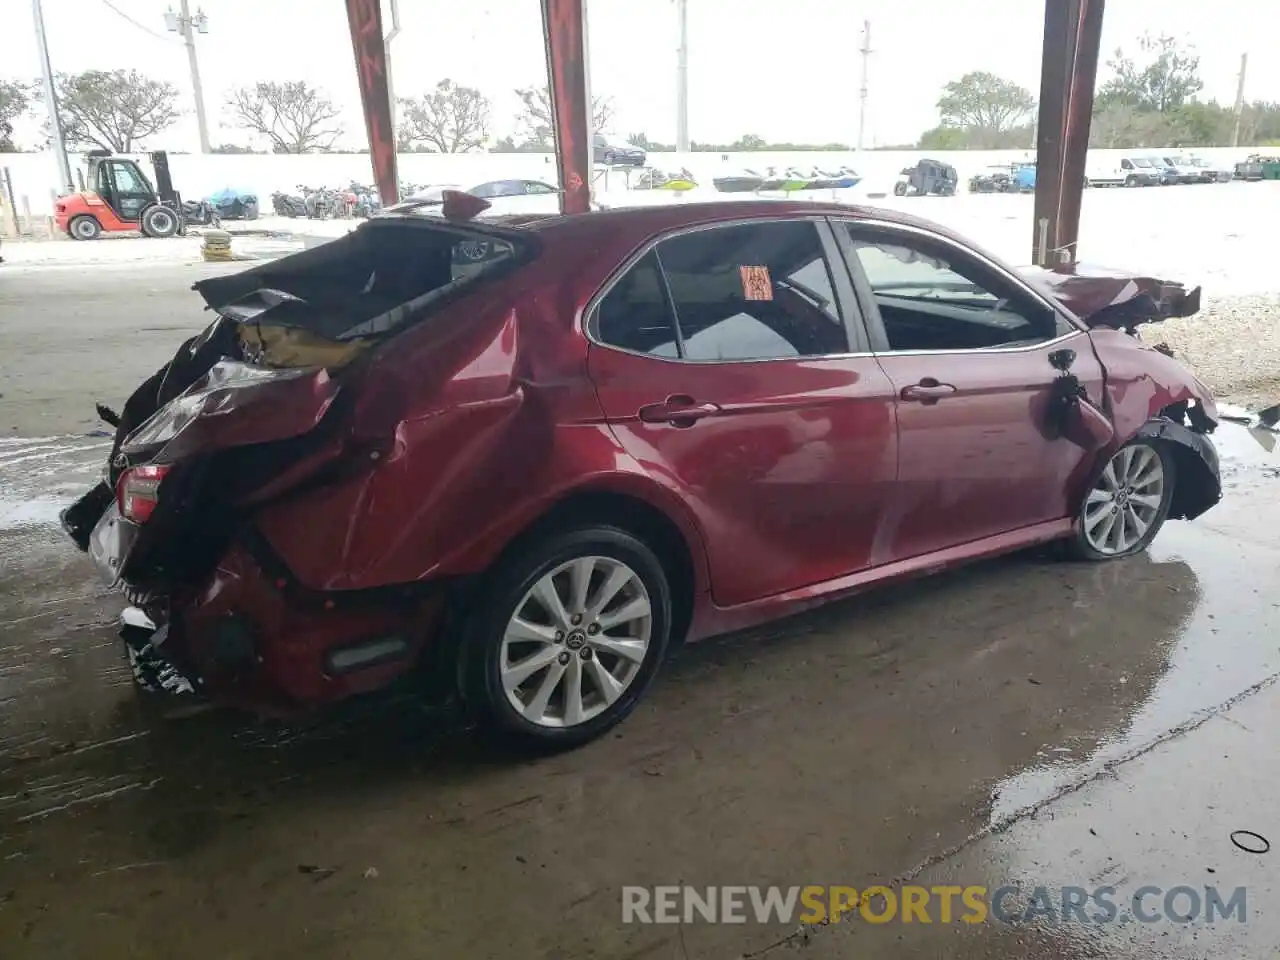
569	637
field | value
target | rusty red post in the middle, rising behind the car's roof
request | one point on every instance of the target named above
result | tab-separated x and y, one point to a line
566	68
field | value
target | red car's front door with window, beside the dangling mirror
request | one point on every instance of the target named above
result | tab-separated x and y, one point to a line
967	349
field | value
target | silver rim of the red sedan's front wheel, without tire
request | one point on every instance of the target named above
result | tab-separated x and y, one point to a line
1123	506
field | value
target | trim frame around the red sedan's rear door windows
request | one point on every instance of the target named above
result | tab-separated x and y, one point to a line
856	333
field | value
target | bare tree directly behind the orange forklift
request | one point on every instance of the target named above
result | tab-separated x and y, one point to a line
115	111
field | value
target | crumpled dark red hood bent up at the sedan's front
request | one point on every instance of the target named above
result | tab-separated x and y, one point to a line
1117	300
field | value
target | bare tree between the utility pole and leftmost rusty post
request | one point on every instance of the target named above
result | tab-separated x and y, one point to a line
295	117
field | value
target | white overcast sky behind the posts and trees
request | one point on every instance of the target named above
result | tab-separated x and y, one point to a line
787	71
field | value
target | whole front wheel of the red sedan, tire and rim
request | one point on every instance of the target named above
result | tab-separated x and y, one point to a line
1128	504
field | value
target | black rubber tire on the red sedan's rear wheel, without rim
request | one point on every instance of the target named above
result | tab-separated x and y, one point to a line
502	596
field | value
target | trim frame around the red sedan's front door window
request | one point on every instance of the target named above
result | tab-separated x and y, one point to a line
871	312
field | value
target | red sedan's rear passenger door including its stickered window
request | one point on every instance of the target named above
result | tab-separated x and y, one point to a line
732	363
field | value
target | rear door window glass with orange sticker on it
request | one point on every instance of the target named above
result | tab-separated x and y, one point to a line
753	292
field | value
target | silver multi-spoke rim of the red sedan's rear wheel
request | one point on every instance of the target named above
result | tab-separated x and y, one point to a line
577	642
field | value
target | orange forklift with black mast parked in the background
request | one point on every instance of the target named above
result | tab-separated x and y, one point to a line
118	198
